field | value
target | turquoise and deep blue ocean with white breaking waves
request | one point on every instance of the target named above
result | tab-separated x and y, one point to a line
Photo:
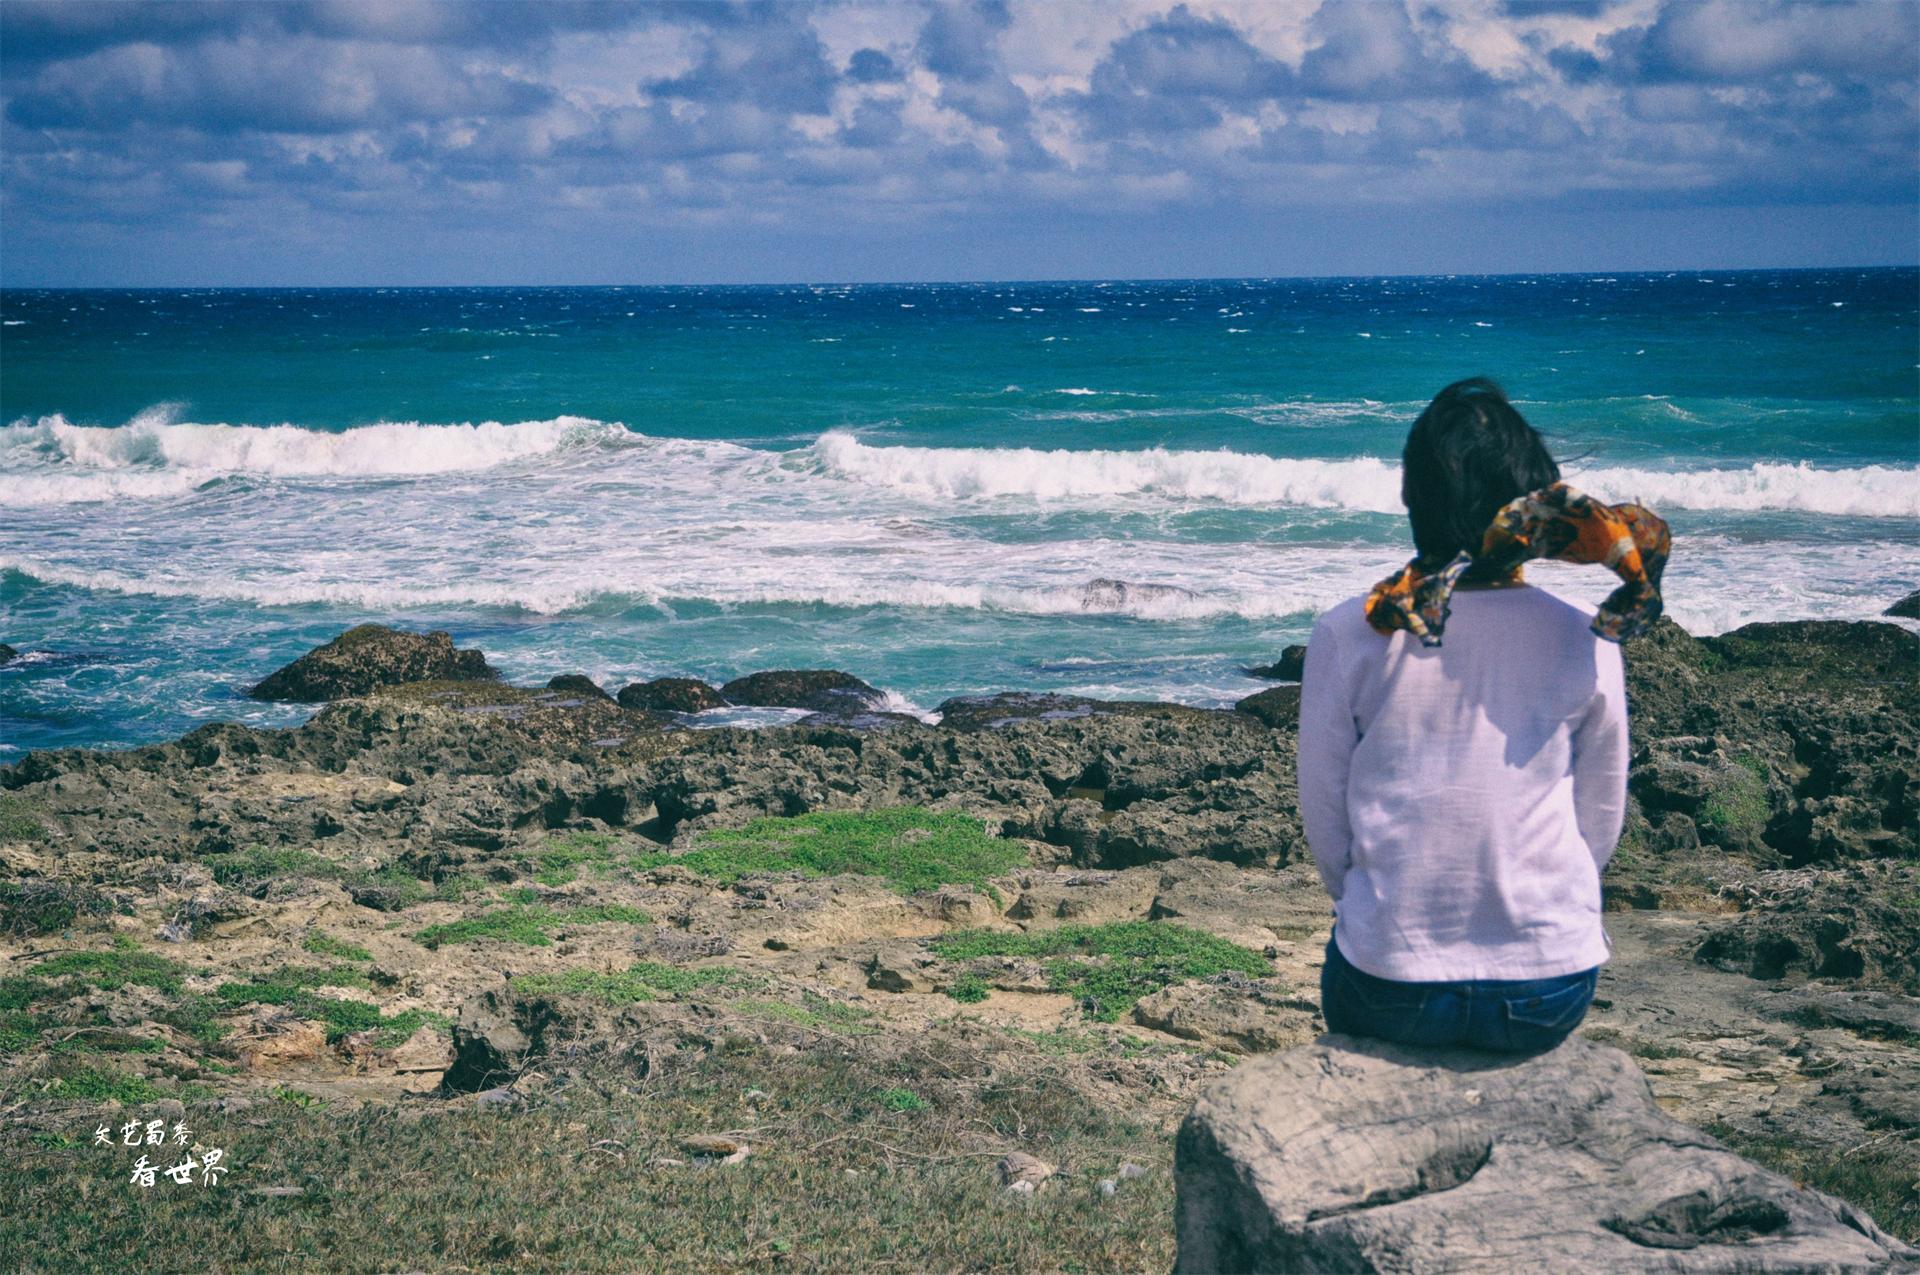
1111	489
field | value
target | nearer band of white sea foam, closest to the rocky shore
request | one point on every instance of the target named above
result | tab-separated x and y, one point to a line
1712	587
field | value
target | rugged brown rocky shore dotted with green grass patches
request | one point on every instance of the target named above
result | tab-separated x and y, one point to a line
446	886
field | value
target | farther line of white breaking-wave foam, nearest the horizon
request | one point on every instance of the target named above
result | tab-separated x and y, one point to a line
53	462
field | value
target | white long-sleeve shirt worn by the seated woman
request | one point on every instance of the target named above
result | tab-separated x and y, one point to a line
1464	800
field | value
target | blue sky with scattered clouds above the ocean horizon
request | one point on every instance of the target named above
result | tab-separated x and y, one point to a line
590	143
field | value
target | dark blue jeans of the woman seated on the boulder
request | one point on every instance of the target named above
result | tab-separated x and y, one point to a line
1514	1017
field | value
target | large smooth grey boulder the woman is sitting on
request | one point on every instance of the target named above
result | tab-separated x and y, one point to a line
1368	1157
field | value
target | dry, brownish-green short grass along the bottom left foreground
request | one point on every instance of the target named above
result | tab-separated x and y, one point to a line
844	1176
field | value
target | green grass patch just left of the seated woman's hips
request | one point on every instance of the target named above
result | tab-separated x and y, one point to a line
1109	969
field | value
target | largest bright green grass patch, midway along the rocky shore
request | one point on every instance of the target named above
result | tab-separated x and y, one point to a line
909	848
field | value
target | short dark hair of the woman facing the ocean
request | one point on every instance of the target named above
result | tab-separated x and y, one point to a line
1468	456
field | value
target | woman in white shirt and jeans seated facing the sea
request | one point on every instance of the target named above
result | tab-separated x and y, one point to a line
1462	798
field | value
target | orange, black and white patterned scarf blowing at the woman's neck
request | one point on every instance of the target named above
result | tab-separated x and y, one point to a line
1558	523
